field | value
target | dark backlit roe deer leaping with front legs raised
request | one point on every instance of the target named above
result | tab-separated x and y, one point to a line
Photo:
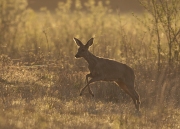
102	69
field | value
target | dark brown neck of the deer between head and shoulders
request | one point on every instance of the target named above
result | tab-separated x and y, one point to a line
91	59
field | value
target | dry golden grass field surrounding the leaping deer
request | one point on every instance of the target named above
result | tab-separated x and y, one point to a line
40	79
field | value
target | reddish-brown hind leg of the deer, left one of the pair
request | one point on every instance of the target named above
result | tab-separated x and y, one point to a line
129	92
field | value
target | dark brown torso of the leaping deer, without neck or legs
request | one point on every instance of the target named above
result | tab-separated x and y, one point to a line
109	70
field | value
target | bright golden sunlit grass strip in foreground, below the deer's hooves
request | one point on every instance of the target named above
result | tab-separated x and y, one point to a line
84	113
